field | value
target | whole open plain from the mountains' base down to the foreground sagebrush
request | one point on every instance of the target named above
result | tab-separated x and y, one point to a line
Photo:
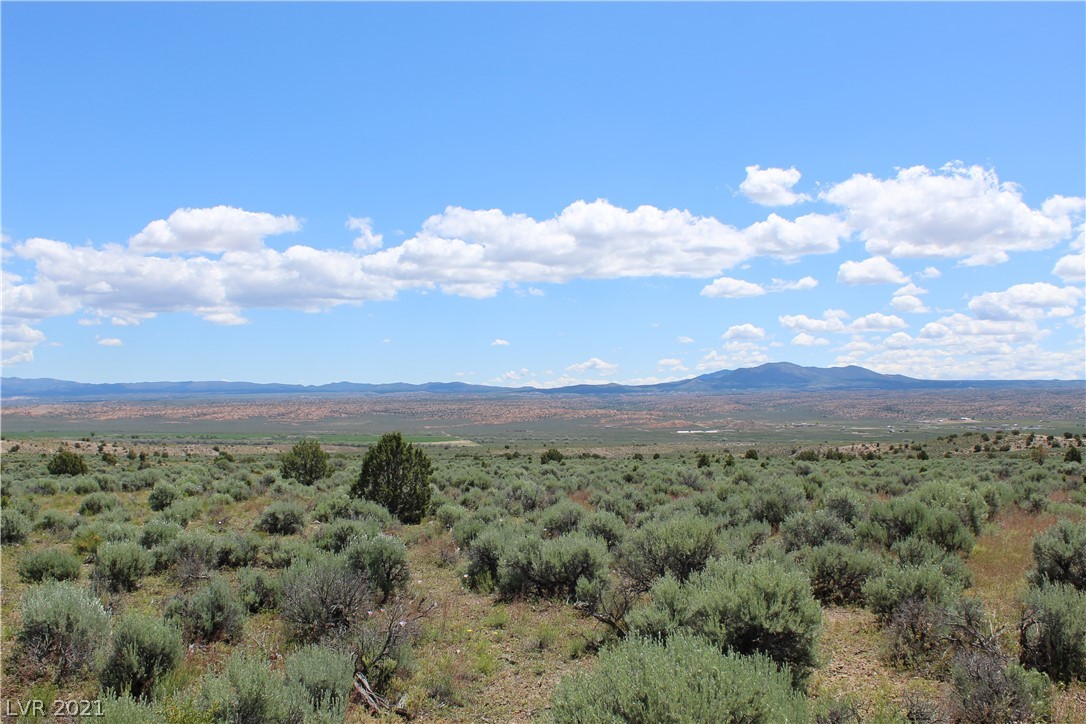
197	490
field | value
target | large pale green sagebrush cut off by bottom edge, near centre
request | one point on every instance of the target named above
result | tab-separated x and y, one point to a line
686	681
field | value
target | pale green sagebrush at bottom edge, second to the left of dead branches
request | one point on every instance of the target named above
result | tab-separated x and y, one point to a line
248	692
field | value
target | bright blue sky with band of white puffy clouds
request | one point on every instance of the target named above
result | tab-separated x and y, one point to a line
541	194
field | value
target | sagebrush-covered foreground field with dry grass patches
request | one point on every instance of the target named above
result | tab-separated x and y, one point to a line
784	571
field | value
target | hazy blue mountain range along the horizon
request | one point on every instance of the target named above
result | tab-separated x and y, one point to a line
773	376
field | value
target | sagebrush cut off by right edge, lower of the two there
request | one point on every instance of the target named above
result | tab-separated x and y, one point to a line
1053	633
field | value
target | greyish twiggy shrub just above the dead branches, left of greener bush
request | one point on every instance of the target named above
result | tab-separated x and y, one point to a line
322	599
